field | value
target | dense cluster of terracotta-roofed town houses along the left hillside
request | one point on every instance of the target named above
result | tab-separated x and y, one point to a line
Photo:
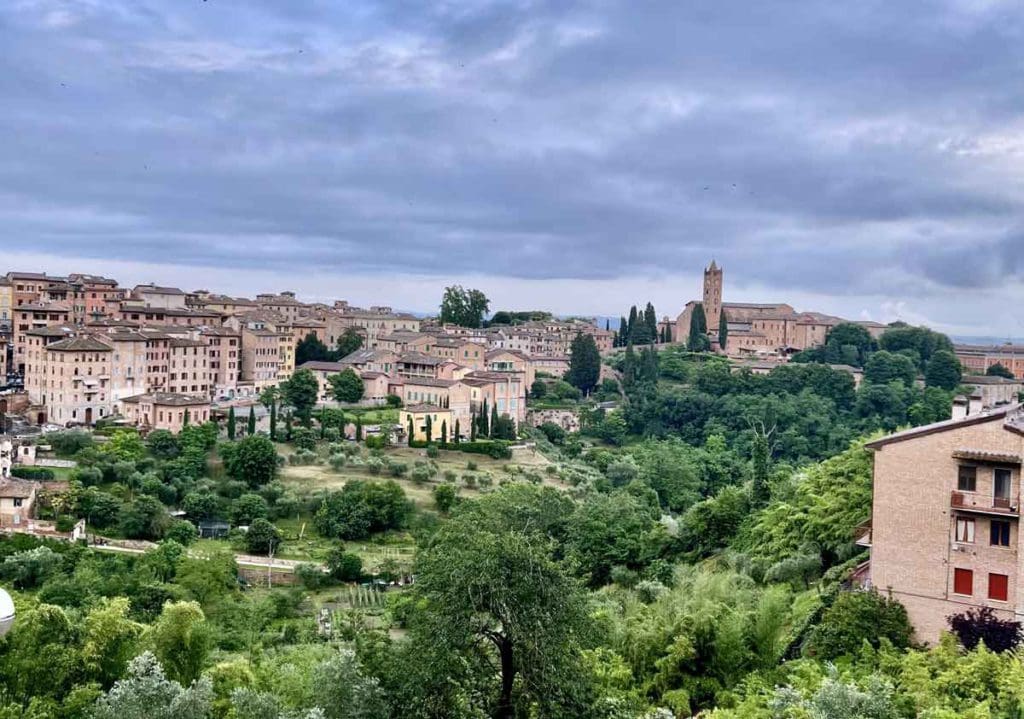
87	350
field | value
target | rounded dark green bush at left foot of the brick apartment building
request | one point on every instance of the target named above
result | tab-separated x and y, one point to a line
856	618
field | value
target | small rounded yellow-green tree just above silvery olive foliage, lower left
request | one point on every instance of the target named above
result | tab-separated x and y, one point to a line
182	641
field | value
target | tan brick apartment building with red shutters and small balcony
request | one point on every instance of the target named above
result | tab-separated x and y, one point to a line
946	517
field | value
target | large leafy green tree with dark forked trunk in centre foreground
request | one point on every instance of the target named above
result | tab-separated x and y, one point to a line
489	583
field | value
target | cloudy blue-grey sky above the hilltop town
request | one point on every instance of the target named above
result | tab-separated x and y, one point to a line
864	159
